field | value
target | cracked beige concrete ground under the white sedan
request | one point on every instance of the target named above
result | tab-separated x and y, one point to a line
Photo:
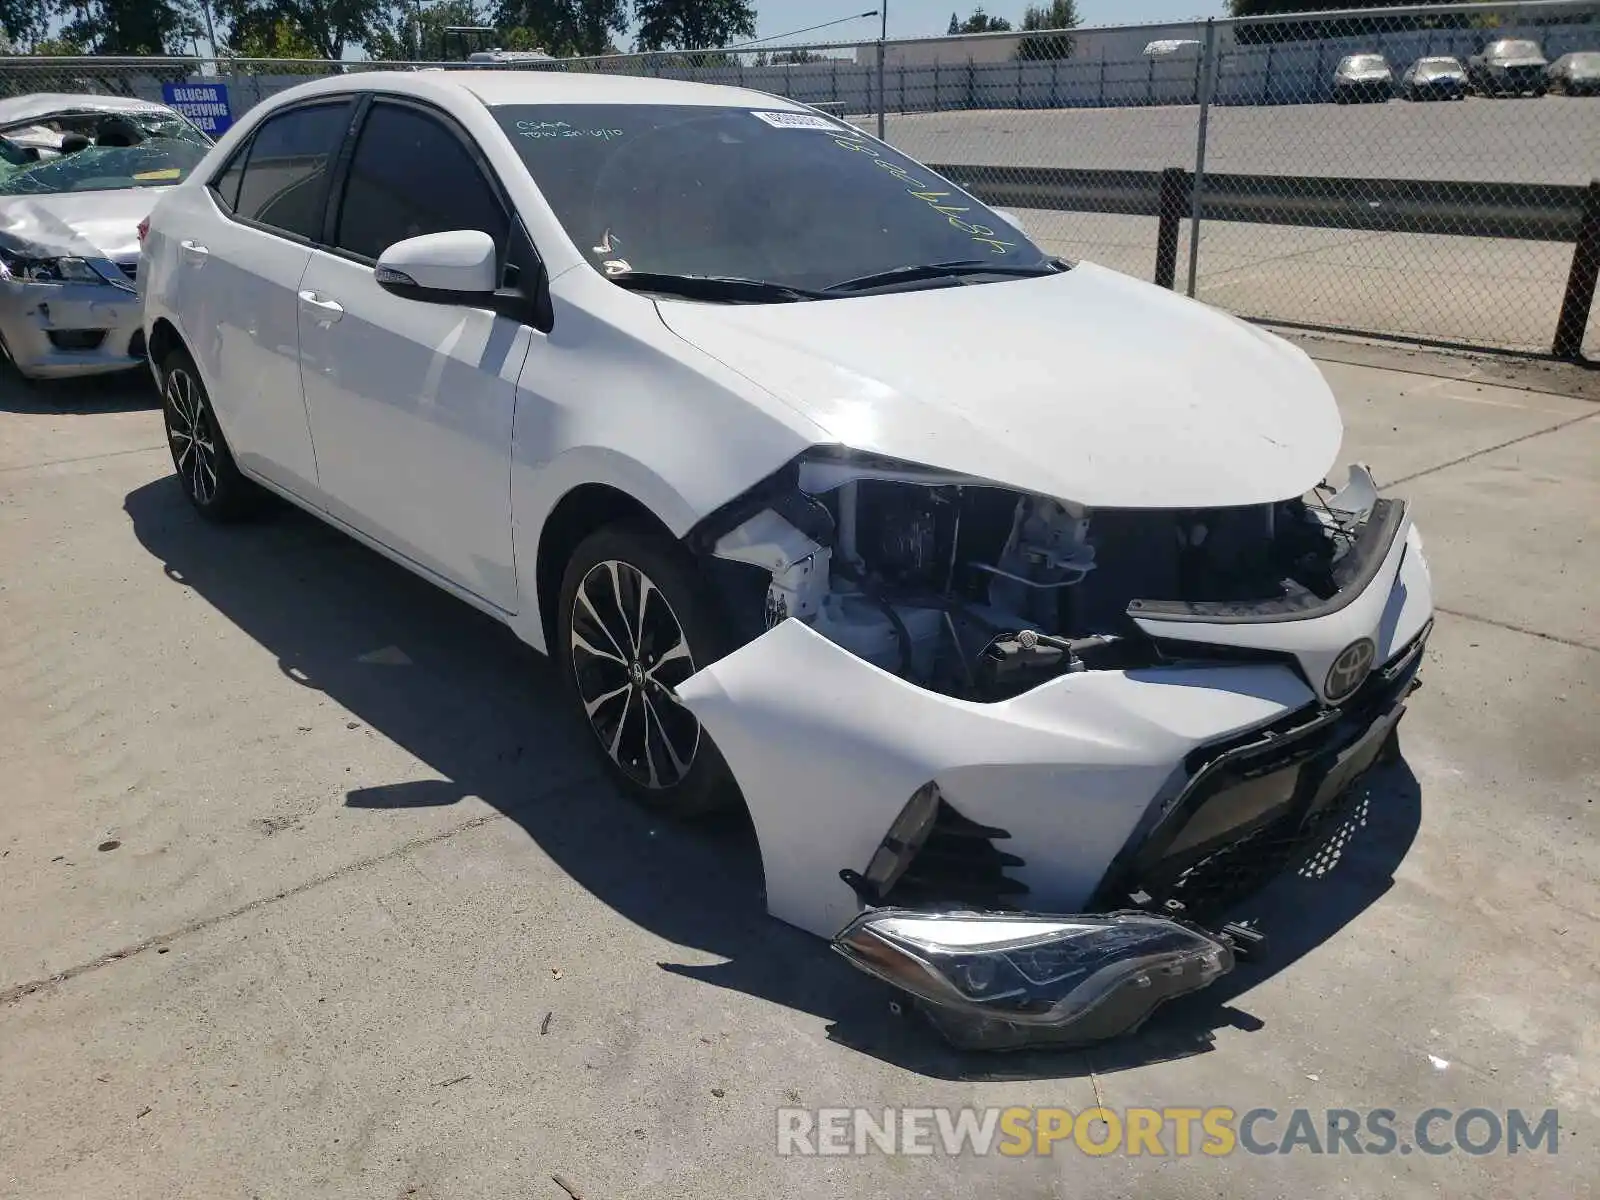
311	890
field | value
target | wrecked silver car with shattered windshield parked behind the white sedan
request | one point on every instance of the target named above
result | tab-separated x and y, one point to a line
78	177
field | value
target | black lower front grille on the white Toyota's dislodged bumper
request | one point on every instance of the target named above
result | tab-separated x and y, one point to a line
1308	801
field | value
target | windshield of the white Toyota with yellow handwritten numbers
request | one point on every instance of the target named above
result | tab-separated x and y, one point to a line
785	198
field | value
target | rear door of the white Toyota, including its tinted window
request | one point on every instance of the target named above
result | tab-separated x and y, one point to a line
239	281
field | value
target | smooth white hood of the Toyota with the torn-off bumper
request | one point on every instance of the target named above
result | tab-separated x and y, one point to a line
1087	386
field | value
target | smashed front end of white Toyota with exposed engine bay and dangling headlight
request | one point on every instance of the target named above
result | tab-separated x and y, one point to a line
1015	756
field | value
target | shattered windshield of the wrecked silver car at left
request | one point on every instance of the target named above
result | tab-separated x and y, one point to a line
95	153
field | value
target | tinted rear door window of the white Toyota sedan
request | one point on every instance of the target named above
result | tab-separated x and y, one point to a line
286	177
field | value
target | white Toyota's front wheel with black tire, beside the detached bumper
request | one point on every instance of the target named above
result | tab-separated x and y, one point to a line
620	658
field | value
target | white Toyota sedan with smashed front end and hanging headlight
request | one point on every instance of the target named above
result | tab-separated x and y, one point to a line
1006	593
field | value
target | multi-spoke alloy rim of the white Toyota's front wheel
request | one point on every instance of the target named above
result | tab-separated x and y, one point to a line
630	652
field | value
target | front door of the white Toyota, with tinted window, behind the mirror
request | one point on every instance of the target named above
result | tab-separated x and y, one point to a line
412	402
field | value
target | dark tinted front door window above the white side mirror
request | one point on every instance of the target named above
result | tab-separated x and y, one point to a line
412	175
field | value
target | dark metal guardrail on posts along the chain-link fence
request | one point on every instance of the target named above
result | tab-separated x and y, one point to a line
1514	212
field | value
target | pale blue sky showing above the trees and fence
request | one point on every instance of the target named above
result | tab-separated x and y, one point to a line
927	18
